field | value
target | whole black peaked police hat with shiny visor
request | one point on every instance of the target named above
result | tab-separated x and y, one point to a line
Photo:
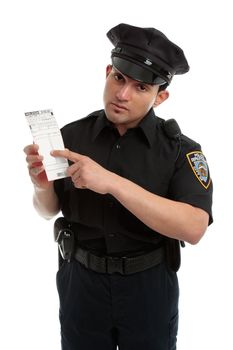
146	54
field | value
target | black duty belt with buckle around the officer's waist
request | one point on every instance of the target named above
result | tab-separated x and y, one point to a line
122	265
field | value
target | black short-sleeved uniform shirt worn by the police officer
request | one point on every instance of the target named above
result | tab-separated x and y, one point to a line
144	155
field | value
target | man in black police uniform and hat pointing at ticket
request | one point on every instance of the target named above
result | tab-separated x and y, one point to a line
134	190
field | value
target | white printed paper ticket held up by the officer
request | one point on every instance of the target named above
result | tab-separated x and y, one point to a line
46	134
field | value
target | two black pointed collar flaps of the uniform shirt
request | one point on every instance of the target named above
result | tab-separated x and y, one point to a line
147	125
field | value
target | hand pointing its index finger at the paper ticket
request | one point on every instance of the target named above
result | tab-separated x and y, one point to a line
86	173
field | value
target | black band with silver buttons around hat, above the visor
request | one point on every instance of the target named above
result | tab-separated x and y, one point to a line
146	63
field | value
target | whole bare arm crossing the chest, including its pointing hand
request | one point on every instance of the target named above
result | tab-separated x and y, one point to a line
170	218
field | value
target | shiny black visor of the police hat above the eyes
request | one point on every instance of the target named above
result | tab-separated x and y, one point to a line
137	72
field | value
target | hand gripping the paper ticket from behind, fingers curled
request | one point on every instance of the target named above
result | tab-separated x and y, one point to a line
35	167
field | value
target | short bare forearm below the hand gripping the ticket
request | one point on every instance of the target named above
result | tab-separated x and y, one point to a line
46	202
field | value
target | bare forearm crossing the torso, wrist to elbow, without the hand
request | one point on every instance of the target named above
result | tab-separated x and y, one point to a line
170	218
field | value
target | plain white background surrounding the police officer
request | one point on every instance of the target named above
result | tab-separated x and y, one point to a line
53	55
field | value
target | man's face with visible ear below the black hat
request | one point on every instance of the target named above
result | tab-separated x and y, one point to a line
127	101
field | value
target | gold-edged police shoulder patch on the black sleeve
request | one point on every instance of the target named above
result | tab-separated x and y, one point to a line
199	166
